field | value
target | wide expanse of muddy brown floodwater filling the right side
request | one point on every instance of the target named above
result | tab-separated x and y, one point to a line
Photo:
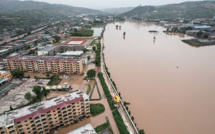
170	85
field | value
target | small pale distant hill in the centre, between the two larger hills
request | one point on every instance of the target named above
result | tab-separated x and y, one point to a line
118	10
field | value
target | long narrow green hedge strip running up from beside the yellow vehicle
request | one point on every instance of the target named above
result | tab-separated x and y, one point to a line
106	91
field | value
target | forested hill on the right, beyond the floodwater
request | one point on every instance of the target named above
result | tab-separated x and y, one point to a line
197	9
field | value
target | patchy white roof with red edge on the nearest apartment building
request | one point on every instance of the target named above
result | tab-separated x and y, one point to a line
33	110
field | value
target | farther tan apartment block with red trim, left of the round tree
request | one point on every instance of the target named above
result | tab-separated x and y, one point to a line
45	64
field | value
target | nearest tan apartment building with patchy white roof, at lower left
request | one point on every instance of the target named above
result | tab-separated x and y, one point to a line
41	118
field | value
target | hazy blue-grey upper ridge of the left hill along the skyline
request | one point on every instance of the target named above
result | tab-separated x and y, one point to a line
11	6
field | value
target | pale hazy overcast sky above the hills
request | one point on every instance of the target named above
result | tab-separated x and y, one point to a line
102	4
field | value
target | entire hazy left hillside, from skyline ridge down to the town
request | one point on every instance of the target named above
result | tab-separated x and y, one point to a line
26	15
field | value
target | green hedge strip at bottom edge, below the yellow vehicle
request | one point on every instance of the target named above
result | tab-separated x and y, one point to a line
119	121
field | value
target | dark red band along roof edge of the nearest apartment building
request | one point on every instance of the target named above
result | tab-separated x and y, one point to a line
46	110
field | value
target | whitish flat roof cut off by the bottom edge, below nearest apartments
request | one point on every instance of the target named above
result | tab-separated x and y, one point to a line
87	129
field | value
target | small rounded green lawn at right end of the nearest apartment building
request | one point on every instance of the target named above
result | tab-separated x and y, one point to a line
96	109
